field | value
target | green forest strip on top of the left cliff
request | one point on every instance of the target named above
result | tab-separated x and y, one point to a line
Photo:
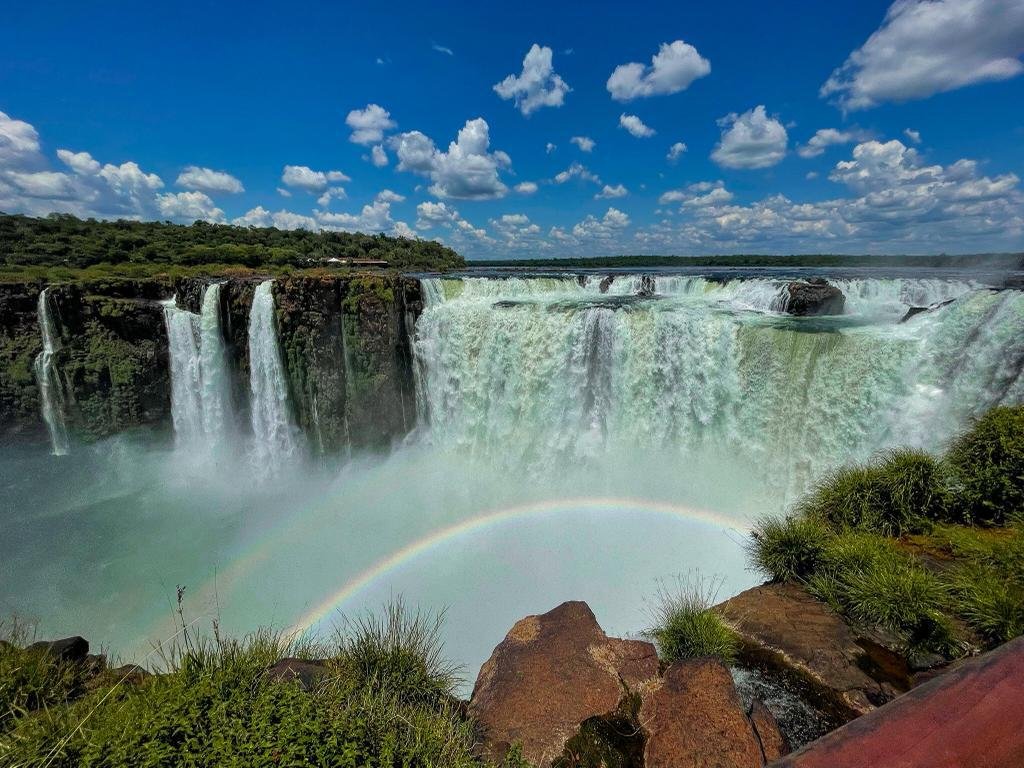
64	241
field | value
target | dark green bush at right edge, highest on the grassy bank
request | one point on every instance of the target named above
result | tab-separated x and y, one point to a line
989	467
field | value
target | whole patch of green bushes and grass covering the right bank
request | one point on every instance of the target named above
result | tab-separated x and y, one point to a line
929	549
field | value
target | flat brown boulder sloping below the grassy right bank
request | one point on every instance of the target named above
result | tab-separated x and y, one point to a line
782	625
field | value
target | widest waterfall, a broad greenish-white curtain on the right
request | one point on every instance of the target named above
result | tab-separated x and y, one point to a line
537	372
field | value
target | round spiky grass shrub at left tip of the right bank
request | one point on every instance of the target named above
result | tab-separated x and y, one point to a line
787	550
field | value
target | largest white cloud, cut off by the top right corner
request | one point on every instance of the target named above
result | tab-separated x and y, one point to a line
930	47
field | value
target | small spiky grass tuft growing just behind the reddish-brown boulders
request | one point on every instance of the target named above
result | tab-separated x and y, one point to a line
688	627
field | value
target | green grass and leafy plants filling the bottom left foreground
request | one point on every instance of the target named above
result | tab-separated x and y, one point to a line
385	699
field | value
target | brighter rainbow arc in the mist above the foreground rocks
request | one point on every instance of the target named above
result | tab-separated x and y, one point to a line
404	557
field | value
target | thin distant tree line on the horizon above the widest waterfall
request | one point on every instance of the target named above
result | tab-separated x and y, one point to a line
994	262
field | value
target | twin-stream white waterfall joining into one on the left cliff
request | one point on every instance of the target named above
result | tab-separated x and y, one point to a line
201	396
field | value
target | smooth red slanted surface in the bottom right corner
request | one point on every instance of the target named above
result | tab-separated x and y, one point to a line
971	717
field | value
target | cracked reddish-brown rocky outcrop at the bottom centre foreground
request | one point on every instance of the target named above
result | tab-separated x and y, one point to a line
568	695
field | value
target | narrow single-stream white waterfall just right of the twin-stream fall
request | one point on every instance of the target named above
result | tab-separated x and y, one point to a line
275	437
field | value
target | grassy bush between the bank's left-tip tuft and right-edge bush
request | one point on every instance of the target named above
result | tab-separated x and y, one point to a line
901	494
